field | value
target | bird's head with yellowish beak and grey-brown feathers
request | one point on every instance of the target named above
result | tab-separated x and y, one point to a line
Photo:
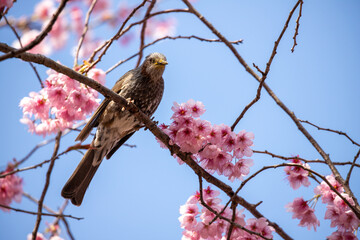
154	65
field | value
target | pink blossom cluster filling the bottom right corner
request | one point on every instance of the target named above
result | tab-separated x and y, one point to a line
338	212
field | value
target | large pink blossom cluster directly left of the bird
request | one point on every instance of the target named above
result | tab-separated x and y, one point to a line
62	102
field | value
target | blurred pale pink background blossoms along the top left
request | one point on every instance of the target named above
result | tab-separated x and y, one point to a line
71	22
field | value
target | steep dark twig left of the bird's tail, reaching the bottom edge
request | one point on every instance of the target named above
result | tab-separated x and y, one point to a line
47	183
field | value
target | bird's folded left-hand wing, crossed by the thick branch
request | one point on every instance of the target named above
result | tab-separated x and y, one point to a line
93	122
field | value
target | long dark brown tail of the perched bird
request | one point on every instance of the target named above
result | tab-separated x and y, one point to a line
79	181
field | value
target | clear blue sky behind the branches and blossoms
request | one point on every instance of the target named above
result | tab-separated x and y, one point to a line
137	194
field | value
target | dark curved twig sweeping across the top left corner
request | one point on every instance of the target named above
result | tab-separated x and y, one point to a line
38	38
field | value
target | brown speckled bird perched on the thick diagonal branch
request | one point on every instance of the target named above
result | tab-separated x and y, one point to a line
143	86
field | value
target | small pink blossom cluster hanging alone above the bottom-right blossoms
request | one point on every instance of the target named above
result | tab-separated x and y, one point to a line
296	175
